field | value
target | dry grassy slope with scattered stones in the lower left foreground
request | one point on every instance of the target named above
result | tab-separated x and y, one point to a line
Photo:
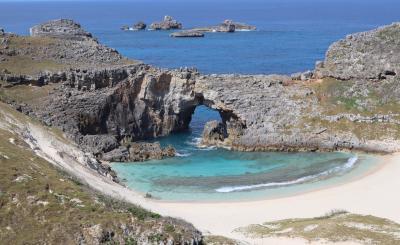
39	204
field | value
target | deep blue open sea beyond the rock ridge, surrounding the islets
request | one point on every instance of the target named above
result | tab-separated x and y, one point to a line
291	36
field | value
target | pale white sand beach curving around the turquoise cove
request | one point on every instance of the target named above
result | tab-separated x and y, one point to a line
376	194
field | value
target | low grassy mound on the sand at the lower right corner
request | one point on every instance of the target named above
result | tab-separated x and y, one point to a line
336	226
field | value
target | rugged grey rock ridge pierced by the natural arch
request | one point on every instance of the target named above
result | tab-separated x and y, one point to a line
106	102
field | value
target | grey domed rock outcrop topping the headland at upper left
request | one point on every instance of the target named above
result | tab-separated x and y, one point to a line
61	28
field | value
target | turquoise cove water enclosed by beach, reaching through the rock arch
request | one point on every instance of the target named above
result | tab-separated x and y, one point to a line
214	174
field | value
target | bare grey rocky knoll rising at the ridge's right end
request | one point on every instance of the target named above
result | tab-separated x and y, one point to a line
370	55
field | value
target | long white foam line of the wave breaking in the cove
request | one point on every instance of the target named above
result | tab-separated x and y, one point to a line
348	165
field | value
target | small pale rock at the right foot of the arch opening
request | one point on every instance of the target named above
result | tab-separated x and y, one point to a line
214	133
